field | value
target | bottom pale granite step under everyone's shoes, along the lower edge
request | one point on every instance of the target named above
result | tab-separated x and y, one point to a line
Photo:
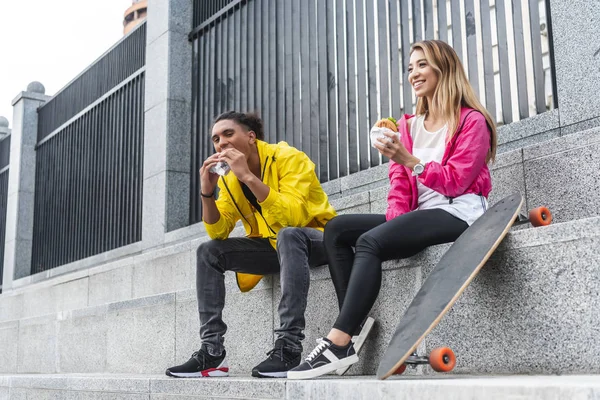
138	387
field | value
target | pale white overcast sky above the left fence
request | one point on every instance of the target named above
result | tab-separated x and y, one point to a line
52	41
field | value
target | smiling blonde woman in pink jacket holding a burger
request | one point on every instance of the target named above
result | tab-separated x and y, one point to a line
439	184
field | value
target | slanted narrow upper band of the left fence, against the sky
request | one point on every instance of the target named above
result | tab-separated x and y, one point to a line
124	59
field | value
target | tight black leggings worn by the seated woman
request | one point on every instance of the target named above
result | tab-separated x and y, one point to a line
356	274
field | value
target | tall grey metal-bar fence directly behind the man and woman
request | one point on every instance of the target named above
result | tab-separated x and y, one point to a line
322	72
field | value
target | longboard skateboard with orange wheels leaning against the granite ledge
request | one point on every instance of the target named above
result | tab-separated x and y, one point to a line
450	277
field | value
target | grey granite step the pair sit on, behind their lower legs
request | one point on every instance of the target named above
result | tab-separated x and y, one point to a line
532	309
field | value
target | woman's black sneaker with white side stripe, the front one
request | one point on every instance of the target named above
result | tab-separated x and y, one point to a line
325	358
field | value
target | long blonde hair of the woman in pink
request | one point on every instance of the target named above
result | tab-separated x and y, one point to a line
453	90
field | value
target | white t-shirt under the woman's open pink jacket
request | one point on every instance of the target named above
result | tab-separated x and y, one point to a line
428	147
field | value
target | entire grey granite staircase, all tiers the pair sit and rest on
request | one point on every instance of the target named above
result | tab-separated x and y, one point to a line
532	309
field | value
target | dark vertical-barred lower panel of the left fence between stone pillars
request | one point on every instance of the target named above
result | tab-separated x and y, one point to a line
88	189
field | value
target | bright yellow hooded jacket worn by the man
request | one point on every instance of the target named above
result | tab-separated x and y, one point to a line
296	199
